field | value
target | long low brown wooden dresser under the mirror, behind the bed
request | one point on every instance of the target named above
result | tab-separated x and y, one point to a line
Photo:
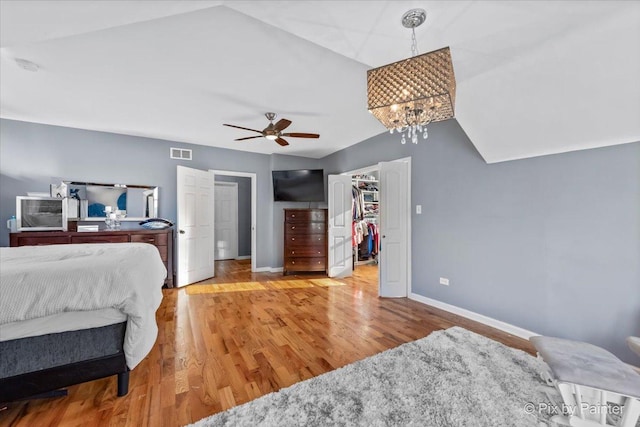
162	239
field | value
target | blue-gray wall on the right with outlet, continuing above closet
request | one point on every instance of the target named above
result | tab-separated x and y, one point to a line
550	244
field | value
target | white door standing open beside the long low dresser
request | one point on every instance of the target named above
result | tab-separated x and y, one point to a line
195	225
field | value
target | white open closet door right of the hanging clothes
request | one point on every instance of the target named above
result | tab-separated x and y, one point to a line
394	217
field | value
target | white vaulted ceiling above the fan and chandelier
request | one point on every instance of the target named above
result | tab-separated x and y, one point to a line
534	77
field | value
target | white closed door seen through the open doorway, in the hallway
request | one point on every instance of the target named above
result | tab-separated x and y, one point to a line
226	220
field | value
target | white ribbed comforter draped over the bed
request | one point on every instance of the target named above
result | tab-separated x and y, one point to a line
38	281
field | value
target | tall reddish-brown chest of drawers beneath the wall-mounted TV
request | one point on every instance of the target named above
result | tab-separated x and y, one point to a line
305	240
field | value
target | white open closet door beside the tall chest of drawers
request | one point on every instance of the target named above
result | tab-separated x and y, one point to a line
340	214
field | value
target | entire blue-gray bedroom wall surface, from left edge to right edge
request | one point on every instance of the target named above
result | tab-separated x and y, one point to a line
550	244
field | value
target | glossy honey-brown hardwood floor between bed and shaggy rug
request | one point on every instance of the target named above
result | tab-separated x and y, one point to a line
241	335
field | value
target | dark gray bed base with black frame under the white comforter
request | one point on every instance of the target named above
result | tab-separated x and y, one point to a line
36	365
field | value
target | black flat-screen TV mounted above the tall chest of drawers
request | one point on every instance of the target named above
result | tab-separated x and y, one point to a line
305	185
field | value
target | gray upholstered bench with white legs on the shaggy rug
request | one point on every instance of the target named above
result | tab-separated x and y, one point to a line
590	380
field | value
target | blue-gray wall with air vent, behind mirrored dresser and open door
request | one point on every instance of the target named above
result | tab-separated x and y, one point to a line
32	156
